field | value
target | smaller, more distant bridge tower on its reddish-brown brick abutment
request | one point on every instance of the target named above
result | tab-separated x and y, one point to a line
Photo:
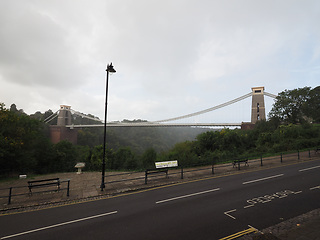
60	132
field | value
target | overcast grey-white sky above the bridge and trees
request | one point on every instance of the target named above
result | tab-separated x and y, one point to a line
172	57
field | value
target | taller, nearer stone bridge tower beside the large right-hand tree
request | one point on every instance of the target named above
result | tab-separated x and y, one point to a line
258	111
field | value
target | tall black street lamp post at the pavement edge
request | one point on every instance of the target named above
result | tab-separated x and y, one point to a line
109	69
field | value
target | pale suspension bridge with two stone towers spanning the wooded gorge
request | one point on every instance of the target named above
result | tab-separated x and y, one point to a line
257	94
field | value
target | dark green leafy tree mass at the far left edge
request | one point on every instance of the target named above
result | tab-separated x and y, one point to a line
23	143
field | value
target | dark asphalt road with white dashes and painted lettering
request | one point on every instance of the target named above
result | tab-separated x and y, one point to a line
213	208
